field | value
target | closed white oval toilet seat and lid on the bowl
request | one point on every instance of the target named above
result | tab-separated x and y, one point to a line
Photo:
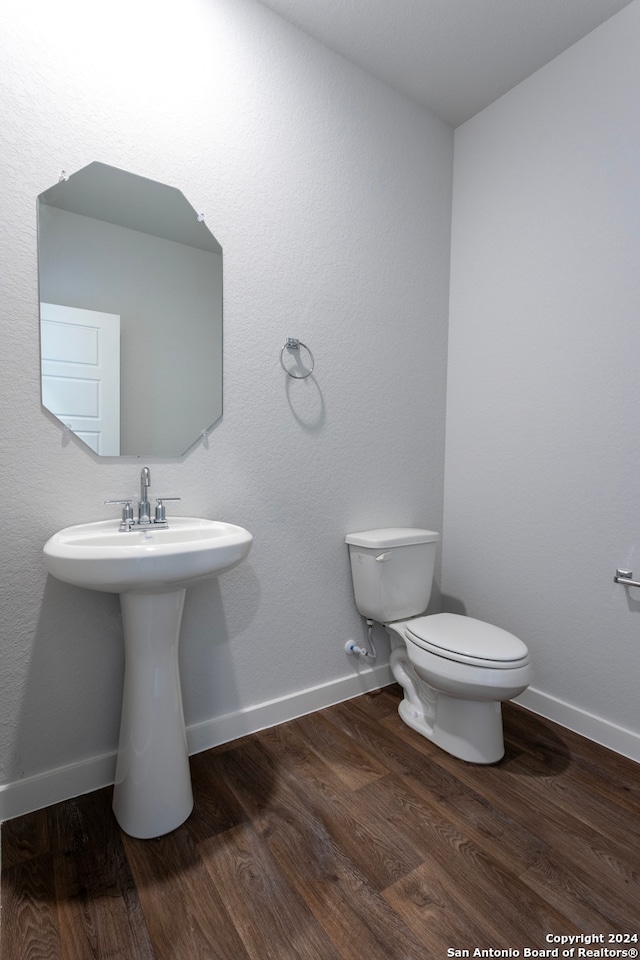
466	640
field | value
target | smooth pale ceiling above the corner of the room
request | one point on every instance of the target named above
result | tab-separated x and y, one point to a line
453	57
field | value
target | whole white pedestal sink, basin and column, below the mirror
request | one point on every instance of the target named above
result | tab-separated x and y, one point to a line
151	568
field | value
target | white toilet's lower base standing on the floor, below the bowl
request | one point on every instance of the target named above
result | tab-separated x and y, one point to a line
468	729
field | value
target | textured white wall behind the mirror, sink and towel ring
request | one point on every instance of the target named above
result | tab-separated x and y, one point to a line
330	195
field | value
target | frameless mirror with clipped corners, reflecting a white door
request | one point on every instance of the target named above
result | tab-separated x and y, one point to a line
130	313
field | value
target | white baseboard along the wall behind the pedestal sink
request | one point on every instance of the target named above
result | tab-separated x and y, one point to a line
33	793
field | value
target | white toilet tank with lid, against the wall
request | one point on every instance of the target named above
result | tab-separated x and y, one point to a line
392	571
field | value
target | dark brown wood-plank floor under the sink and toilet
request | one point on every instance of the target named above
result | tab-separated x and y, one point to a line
343	835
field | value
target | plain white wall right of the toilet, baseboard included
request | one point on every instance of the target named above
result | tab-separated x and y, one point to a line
542	458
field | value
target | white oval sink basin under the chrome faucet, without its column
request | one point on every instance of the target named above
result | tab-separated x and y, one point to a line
146	559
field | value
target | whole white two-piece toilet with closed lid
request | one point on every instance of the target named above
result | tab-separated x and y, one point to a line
455	671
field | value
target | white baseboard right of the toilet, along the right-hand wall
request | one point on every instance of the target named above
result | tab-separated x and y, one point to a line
580	721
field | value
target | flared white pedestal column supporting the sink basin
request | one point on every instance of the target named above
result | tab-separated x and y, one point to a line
152	793
